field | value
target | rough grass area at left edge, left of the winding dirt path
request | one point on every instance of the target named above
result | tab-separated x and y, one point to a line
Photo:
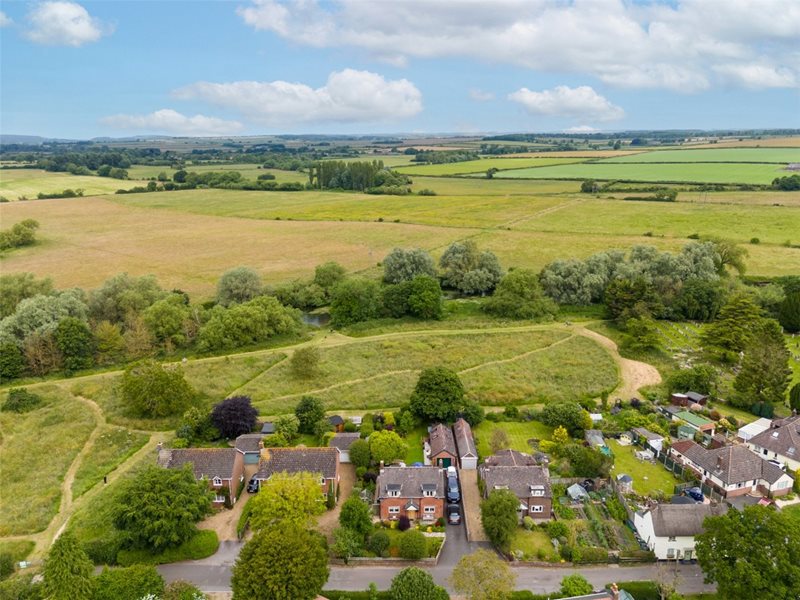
38	448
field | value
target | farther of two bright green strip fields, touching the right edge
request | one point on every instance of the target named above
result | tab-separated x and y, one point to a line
752	155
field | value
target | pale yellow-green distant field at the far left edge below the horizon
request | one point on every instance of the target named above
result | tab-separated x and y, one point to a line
15	183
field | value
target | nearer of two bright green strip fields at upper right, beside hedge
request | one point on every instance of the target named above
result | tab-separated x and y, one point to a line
656	172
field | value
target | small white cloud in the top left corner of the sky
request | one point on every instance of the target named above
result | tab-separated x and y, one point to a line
64	24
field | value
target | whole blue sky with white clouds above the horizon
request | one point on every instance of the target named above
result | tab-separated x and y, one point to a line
249	67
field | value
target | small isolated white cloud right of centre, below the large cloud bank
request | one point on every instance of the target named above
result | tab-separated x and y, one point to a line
575	103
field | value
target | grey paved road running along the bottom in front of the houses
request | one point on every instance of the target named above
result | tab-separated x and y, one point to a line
213	574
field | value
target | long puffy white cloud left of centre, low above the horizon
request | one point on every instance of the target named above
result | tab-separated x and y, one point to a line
348	96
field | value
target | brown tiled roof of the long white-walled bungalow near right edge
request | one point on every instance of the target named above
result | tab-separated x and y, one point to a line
730	464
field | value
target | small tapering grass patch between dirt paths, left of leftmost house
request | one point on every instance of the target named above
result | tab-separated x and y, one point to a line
112	447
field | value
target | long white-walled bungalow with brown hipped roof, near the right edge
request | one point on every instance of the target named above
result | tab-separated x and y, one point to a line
732	470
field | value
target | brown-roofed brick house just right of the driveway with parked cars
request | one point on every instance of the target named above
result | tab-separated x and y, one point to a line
529	483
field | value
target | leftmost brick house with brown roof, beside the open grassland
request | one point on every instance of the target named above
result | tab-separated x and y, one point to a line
223	468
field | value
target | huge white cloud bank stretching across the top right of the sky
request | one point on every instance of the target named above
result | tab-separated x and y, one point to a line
677	45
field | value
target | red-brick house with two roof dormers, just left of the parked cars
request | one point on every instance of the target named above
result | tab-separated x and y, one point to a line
414	492
